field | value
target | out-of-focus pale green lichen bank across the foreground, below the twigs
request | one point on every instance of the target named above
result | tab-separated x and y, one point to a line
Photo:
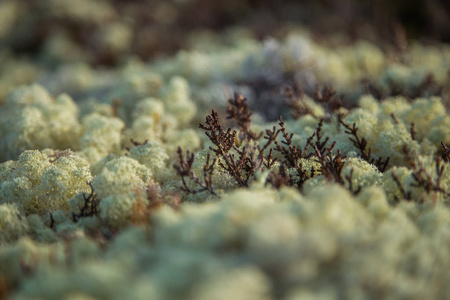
238	247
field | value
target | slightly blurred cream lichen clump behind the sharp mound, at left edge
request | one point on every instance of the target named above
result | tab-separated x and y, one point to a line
31	119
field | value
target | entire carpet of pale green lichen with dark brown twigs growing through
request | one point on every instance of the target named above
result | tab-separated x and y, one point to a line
341	198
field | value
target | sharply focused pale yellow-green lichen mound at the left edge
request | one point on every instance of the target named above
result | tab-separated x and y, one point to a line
38	186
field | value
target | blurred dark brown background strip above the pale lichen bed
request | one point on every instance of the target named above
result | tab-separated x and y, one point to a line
102	32
